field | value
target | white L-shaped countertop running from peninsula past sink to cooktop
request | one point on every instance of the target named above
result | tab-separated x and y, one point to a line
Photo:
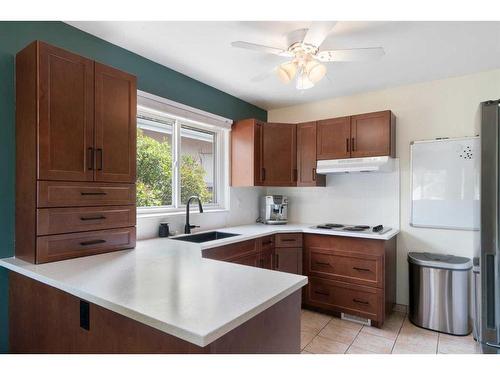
167	285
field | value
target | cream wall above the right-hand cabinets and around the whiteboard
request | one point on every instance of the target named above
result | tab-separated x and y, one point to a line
443	108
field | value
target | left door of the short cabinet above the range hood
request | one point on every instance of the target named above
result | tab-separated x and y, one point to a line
333	138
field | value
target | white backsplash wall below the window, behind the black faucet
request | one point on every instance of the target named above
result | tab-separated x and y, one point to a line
244	209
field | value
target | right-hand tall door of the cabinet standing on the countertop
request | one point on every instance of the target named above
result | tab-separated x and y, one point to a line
115	125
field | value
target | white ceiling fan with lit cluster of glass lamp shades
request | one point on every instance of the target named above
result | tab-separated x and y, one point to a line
306	64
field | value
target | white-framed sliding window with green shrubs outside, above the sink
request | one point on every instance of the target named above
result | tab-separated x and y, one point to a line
178	158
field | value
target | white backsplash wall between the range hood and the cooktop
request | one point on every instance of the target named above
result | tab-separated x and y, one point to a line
354	198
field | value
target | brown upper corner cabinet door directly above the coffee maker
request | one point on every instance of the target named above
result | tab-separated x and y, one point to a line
279	150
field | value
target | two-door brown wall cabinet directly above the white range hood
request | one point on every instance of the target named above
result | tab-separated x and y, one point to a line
369	134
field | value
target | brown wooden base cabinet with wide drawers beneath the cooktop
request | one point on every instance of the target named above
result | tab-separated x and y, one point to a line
351	275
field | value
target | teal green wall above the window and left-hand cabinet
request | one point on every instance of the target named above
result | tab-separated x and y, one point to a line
151	77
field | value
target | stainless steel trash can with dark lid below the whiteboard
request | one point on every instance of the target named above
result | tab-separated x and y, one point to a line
439	292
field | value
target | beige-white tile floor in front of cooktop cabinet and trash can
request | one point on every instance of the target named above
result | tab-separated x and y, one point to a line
324	334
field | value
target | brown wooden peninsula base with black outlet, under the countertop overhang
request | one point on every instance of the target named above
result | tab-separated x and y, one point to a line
44	320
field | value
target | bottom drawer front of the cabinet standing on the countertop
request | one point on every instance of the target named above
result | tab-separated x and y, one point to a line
66	246
